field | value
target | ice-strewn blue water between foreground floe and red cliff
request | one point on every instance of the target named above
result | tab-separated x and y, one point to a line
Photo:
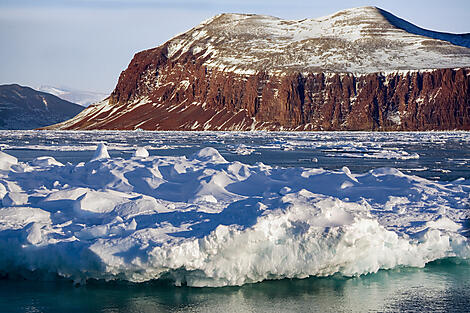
433	155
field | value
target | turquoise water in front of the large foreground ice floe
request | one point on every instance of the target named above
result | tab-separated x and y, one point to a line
442	286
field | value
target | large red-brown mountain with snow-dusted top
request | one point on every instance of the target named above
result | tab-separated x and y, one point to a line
358	69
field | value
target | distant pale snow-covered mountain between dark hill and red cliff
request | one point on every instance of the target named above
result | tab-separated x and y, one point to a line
84	98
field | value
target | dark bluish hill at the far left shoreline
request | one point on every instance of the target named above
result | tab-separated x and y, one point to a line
25	108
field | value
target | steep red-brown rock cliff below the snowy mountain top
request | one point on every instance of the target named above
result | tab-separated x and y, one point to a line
184	94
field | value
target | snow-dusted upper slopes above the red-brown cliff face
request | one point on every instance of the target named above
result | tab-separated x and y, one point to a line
358	40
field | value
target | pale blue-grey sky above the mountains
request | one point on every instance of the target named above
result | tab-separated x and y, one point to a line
85	44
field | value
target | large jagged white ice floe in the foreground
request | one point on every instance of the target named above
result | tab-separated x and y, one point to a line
203	221
